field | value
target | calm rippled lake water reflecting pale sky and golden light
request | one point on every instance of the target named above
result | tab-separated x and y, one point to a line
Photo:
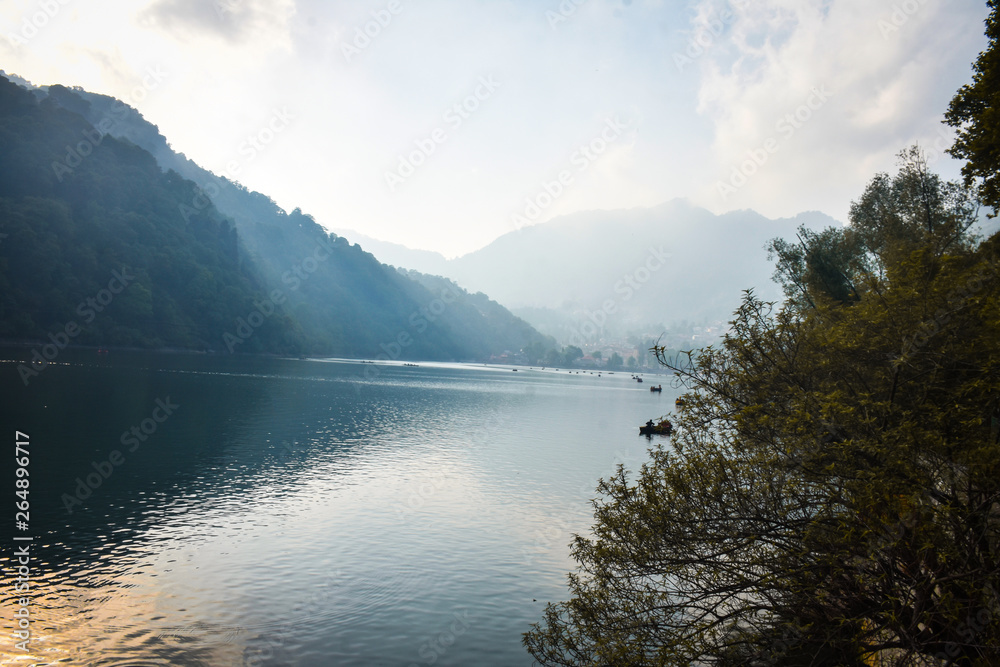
302	512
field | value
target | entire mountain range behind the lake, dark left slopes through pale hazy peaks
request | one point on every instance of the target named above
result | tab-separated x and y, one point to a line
87	184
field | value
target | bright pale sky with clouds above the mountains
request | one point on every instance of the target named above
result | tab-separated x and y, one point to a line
443	124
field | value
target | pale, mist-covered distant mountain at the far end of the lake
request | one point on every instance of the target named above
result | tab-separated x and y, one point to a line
636	271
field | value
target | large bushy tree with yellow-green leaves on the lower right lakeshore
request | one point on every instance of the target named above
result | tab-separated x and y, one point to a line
832	492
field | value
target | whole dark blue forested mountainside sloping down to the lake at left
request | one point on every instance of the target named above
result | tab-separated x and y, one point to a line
87	186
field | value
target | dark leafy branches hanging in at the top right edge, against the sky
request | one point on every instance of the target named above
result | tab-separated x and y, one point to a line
973	112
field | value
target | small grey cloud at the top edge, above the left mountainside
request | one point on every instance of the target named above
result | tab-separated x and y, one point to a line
261	22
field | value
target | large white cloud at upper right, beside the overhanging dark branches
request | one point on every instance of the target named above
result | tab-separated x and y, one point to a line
887	70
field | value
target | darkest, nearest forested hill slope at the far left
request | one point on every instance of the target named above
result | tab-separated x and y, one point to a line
78	206
